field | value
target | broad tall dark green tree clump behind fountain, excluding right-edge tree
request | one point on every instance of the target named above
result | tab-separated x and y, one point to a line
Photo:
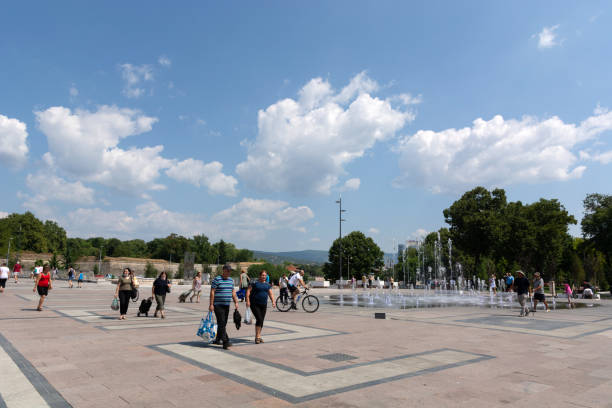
491	235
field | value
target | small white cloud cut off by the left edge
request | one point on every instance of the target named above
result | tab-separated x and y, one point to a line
13	142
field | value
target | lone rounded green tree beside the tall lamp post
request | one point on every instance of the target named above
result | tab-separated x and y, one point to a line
363	252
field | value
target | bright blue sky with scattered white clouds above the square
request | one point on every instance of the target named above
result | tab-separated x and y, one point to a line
245	121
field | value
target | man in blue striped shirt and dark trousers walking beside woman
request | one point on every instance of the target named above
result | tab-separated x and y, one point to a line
222	293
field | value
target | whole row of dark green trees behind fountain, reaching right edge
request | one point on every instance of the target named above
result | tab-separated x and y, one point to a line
491	235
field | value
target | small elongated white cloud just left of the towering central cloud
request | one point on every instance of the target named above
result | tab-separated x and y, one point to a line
209	175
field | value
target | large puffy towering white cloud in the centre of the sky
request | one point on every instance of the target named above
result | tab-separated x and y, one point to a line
303	145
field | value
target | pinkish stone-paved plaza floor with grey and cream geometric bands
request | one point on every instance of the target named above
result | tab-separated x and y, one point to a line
76	353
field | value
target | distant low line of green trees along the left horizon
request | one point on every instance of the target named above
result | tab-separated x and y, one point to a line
28	233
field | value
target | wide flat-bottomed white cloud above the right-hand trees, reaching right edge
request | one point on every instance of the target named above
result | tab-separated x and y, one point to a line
497	152
